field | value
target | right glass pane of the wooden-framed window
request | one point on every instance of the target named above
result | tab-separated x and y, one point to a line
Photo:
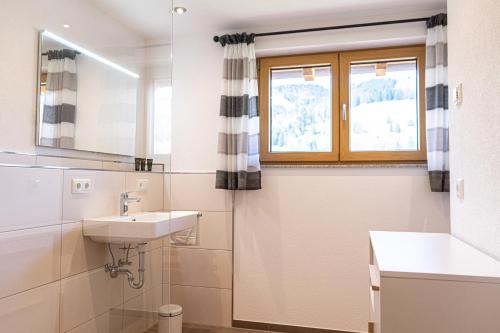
384	106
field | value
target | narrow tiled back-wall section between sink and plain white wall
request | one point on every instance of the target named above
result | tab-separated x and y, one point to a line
201	275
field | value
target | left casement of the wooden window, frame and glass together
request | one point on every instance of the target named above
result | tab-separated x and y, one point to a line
298	107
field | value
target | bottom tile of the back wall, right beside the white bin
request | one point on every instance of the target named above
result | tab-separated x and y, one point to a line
205	306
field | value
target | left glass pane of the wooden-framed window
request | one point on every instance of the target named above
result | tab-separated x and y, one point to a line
300	110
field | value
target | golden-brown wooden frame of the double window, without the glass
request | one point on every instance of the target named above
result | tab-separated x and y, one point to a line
340	70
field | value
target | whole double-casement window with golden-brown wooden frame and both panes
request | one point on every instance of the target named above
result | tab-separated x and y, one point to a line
349	106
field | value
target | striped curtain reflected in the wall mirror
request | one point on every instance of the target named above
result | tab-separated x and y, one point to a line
59	106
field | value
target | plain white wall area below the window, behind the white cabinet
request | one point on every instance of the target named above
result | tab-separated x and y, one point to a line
301	244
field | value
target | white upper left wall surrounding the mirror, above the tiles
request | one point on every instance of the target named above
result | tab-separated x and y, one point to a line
20	21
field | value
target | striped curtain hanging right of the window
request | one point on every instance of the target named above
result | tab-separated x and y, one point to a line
436	84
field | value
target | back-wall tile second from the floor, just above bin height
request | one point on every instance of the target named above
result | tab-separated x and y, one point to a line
200	267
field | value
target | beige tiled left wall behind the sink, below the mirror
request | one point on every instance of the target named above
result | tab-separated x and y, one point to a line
51	277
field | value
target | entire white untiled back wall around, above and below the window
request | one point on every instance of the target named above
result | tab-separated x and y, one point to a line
300	244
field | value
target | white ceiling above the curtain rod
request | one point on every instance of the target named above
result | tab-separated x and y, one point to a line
152	18
